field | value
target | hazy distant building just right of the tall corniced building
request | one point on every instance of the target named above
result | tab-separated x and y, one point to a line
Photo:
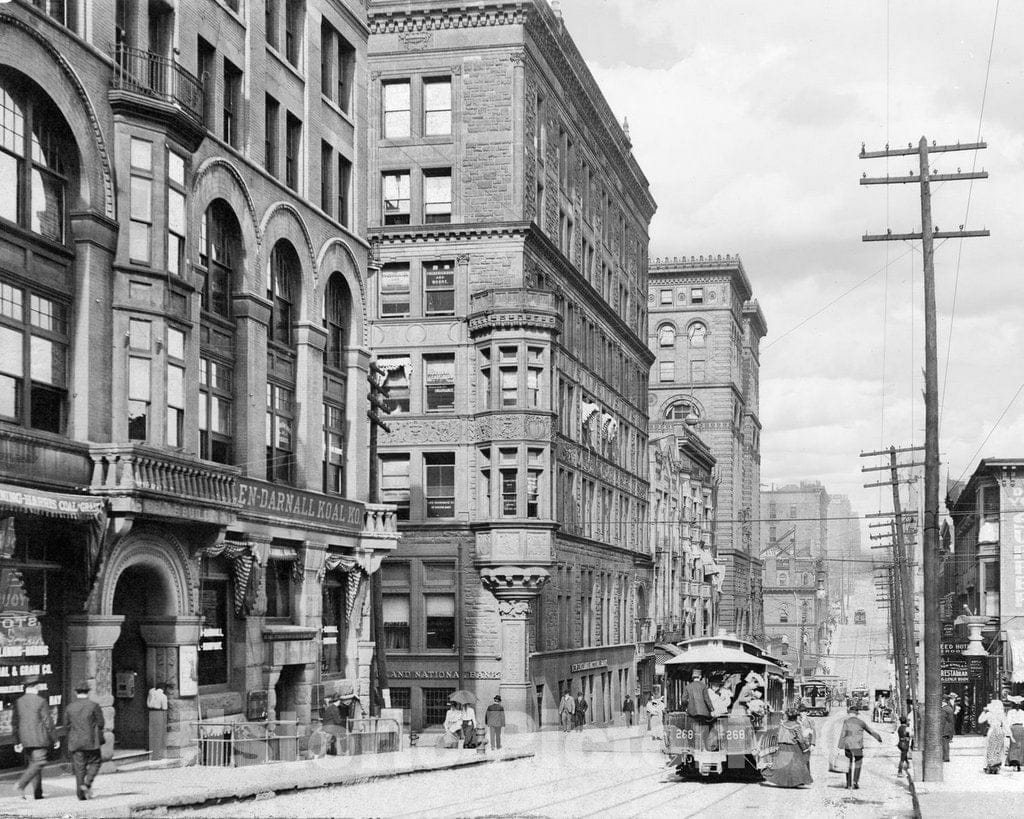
798	618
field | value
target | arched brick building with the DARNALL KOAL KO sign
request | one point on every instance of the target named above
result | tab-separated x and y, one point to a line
183	342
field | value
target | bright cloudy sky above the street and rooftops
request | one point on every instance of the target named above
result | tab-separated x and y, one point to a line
748	118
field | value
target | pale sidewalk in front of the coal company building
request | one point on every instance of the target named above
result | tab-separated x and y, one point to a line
130	793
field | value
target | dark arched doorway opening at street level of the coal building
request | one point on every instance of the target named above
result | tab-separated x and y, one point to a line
142	593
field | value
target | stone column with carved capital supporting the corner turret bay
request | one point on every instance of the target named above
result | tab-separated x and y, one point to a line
516	587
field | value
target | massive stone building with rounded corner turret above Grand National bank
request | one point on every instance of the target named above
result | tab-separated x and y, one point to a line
509	312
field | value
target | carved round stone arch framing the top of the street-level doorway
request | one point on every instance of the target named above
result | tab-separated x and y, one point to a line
166	556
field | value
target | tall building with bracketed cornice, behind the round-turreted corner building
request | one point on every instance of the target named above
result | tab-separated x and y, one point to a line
706	330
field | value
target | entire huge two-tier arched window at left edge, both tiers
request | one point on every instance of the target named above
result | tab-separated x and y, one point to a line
38	164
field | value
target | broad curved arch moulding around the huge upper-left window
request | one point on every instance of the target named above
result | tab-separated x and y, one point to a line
21	49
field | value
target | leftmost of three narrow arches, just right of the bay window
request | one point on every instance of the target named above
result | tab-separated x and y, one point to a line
219	179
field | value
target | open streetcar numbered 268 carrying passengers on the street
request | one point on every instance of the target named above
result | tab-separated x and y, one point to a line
743	741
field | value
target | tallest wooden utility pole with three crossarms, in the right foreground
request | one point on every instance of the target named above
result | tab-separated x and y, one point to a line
932	746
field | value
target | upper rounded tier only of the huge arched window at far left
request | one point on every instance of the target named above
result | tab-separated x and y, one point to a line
37	158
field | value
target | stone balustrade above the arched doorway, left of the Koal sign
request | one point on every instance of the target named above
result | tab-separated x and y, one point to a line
120	469
